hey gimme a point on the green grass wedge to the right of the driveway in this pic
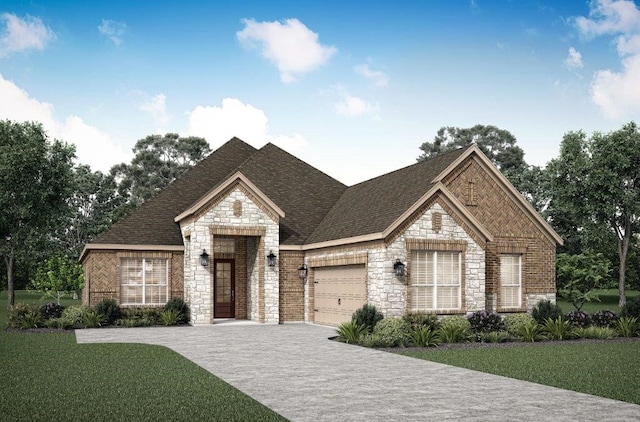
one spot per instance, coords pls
(606, 369)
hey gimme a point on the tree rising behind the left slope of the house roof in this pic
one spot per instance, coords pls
(158, 161)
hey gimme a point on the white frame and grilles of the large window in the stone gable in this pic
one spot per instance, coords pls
(416, 285)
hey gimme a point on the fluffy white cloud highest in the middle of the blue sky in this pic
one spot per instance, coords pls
(290, 45)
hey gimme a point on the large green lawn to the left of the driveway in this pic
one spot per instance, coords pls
(50, 377)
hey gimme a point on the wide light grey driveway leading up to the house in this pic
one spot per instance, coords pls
(296, 371)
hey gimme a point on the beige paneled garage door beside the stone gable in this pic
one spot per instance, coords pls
(338, 292)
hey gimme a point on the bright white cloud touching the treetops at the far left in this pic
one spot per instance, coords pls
(93, 147)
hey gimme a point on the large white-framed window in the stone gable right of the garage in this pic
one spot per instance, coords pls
(435, 280)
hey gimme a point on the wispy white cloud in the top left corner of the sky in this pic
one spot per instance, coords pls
(23, 34)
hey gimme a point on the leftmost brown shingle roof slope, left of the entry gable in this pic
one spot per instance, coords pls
(153, 222)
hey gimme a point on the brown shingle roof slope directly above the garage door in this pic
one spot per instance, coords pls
(372, 206)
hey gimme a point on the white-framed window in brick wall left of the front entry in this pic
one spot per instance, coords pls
(143, 281)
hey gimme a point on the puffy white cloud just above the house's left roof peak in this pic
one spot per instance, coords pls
(235, 118)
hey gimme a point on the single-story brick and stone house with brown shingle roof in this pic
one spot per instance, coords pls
(282, 241)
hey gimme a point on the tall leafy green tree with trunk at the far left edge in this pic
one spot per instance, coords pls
(35, 176)
